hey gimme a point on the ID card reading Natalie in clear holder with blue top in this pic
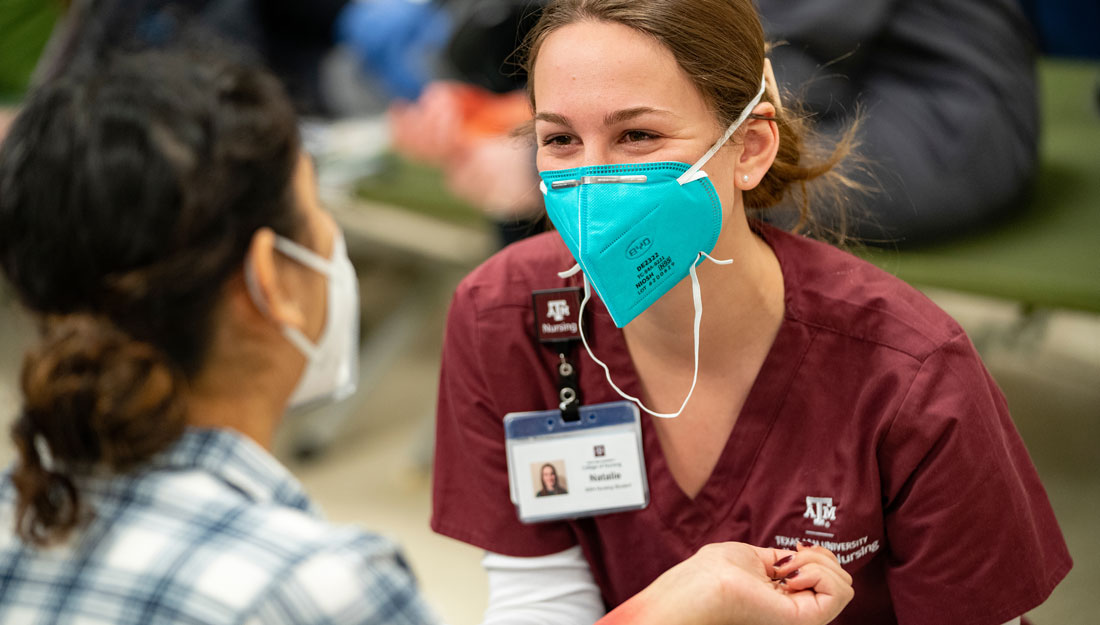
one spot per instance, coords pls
(559, 469)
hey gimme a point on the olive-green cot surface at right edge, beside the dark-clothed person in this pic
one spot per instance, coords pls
(1048, 255)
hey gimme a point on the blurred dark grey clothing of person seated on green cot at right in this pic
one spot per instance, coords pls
(949, 96)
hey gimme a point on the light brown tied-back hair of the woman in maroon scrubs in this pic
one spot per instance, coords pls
(721, 46)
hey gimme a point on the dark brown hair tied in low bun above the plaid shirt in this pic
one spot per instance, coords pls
(130, 191)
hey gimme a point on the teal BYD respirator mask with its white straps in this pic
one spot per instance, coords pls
(636, 231)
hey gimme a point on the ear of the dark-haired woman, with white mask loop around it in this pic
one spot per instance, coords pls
(268, 284)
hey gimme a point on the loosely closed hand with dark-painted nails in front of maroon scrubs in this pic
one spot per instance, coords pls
(733, 584)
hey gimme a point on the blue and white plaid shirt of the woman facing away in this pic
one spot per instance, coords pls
(213, 531)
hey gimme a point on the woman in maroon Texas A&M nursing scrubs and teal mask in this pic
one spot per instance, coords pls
(816, 400)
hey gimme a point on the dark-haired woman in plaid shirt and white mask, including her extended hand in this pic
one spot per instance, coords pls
(160, 222)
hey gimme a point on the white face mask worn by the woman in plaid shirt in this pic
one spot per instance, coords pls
(333, 365)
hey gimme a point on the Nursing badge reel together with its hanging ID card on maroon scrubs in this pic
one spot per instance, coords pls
(573, 460)
